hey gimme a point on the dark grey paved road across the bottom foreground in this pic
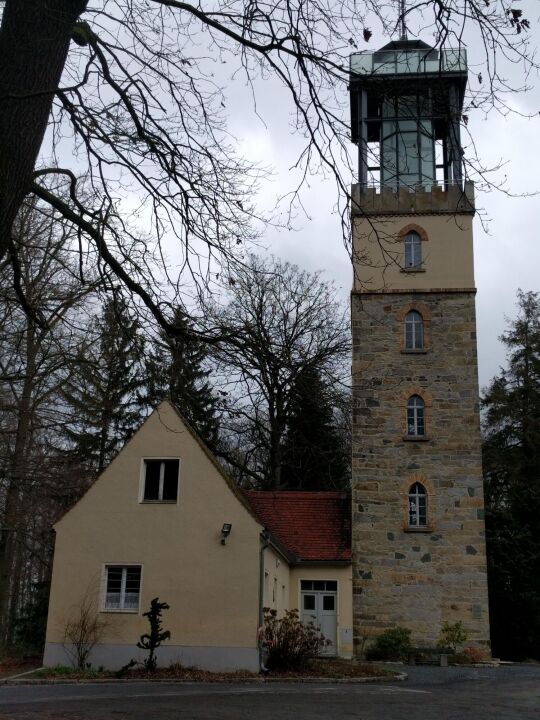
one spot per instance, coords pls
(508, 693)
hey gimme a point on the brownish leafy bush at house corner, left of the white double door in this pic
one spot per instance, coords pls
(289, 642)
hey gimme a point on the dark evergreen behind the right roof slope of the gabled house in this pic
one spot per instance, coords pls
(176, 372)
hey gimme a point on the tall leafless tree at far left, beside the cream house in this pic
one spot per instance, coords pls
(34, 365)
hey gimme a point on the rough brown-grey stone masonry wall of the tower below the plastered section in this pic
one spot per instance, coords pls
(417, 579)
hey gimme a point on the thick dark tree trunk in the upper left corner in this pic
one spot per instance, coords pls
(34, 42)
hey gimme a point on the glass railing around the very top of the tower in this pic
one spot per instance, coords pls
(406, 62)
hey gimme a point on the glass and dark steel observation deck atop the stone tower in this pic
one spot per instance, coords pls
(406, 106)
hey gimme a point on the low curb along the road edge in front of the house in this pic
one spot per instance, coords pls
(19, 680)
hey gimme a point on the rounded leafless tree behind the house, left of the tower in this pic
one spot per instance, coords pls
(280, 321)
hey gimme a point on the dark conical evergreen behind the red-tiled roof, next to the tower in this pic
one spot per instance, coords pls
(314, 453)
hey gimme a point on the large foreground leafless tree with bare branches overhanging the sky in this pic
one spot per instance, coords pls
(134, 90)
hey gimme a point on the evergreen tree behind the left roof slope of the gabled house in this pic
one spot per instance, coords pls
(106, 393)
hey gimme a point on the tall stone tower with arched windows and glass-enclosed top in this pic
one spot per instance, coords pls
(418, 509)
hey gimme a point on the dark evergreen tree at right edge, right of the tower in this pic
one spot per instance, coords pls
(512, 480)
